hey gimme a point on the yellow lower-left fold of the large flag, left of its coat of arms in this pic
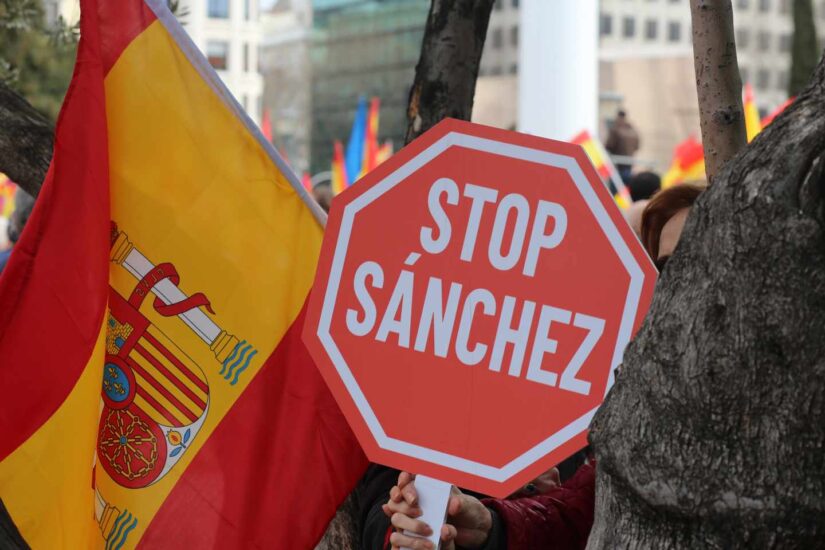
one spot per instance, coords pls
(46, 483)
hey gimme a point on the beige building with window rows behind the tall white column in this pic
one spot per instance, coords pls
(646, 65)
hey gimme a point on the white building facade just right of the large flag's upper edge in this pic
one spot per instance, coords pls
(228, 32)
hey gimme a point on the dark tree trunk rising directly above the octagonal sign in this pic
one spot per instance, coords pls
(445, 78)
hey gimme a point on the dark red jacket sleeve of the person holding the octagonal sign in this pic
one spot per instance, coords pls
(559, 519)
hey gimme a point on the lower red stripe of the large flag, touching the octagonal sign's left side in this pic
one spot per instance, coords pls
(248, 486)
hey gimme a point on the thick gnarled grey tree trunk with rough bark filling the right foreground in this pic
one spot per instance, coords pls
(713, 435)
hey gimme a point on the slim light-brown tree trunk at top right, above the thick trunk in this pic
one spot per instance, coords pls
(718, 83)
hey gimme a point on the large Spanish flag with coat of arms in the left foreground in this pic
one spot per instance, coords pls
(155, 390)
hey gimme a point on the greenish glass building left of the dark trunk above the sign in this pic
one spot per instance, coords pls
(362, 48)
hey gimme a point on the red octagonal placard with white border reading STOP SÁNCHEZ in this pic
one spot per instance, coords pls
(474, 295)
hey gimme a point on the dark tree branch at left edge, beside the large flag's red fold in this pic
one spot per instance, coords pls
(25, 141)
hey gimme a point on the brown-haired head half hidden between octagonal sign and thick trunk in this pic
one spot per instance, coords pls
(664, 218)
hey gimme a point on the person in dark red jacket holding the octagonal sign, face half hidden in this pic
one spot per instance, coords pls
(561, 515)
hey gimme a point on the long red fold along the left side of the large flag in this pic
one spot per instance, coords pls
(53, 291)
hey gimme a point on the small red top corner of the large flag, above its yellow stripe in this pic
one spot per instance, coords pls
(120, 23)
